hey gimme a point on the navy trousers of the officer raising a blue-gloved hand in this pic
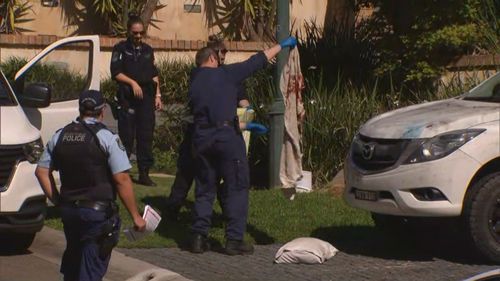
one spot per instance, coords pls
(225, 157)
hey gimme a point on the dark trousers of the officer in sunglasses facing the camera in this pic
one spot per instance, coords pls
(136, 121)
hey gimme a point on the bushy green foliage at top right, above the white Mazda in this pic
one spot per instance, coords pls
(414, 40)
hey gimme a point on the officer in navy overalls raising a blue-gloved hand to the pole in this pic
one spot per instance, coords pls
(219, 145)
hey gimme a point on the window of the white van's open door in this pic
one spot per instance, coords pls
(65, 69)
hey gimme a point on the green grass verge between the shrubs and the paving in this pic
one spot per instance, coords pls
(272, 218)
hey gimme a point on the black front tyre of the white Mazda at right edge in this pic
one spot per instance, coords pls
(481, 216)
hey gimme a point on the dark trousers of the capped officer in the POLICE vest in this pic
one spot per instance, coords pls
(82, 228)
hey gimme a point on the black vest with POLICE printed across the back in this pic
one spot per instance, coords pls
(83, 164)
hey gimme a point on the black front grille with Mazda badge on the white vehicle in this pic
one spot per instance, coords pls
(377, 154)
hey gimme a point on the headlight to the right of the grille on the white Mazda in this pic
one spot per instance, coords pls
(442, 145)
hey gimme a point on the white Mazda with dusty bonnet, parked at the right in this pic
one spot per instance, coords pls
(437, 159)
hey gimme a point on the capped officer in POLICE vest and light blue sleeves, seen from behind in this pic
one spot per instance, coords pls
(93, 167)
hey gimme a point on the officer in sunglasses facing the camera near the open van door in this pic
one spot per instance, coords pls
(132, 66)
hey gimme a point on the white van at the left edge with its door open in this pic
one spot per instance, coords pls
(42, 99)
